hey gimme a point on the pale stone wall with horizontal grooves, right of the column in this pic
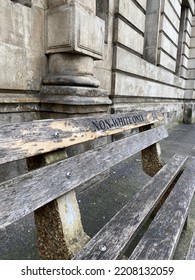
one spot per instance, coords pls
(146, 74)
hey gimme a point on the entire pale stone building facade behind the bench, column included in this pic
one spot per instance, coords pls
(77, 57)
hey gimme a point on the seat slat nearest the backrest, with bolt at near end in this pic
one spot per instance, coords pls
(115, 236)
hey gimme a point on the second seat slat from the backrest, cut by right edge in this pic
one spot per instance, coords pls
(161, 238)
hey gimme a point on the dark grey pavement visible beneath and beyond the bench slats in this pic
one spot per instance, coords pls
(100, 203)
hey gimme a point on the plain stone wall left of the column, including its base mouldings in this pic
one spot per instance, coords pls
(22, 61)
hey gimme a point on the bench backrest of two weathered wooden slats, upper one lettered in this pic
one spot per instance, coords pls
(21, 195)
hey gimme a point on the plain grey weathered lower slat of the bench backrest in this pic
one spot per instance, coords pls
(24, 194)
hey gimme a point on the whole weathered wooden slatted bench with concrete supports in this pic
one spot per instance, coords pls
(49, 187)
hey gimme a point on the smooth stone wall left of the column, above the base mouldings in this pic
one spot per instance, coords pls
(21, 45)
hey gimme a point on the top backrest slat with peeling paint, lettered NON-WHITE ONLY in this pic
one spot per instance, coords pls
(27, 139)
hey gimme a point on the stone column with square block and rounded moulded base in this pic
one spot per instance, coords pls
(74, 39)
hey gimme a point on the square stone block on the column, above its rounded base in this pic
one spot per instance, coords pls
(88, 29)
